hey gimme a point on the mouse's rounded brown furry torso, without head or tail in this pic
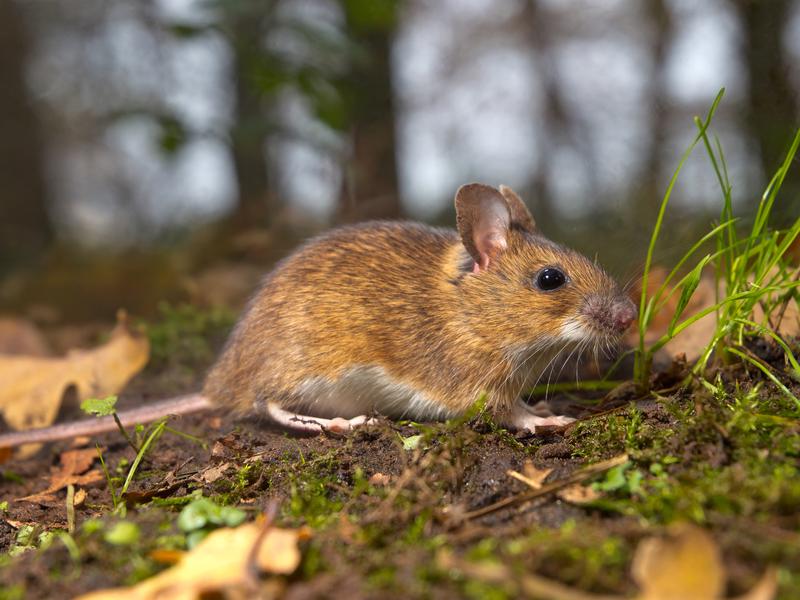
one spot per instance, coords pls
(328, 337)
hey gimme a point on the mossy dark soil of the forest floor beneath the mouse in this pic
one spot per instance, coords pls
(400, 509)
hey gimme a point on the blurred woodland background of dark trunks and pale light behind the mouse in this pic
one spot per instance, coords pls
(172, 150)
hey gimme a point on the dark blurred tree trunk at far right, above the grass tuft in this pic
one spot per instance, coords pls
(772, 102)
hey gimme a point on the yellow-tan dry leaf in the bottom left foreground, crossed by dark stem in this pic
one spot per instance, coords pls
(218, 562)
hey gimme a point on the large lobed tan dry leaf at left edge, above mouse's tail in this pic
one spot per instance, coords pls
(32, 388)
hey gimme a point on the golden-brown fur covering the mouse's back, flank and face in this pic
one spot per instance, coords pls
(402, 296)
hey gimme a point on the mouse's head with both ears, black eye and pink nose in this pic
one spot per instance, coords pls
(524, 292)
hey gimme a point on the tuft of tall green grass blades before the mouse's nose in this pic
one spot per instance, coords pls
(751, 270)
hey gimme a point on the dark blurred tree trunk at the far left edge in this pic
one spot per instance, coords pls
(25, 228)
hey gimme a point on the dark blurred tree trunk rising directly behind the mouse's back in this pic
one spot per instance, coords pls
(370, 189)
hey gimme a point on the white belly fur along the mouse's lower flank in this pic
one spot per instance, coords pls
(364, 390)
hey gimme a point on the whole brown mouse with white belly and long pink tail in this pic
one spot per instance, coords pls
(407, 321)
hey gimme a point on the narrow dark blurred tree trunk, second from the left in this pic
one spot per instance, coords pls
(257, 202)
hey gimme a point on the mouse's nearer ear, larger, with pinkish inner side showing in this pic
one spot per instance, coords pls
(483, 219)
